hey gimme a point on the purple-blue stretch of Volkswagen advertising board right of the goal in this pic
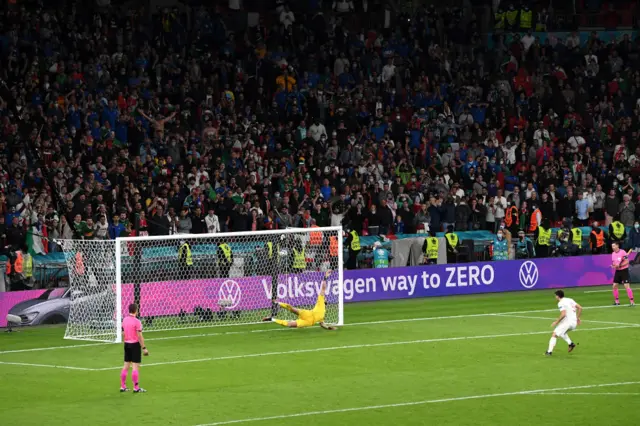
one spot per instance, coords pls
(476, 278)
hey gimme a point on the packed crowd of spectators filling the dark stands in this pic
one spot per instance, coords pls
(119, 124)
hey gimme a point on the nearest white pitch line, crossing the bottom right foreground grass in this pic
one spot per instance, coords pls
(409, 404)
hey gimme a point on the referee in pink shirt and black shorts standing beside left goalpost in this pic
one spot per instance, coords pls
(133, 349)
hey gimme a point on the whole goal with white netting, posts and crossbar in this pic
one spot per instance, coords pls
(192, 281)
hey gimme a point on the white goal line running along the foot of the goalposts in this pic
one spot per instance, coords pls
(270, 330)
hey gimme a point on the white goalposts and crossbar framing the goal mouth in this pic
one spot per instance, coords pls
(120, 241)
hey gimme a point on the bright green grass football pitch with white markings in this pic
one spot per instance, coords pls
(468, 360)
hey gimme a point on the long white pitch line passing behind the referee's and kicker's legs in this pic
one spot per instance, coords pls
(364, 345)
